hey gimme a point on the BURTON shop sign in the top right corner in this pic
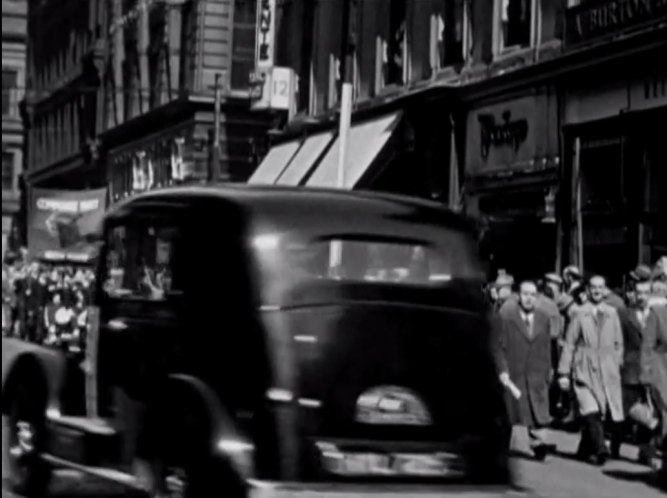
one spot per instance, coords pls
(594, 19)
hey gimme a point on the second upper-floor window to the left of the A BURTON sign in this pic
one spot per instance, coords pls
(449, 32)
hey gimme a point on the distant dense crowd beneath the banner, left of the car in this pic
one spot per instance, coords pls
(46, 303)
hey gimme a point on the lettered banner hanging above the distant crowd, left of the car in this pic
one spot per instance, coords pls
(62, 224)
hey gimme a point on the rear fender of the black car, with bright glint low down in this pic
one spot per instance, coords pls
(224, 437)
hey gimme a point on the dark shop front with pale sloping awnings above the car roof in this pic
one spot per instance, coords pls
(403, 147)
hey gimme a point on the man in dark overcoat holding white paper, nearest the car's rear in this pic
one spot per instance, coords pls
(524, 362)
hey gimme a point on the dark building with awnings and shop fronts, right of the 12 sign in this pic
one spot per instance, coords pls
(493, 104)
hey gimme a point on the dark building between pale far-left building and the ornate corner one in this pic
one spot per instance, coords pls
(63, 101)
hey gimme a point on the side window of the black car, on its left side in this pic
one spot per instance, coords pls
(140, 261)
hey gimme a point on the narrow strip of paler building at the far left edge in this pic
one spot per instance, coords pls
(13, 84)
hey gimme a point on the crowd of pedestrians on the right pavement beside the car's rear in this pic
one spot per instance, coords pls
(570, 350)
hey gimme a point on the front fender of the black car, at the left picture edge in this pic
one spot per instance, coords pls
(24, 362)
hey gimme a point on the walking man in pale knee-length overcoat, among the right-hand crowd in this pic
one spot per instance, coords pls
(591, 361)
